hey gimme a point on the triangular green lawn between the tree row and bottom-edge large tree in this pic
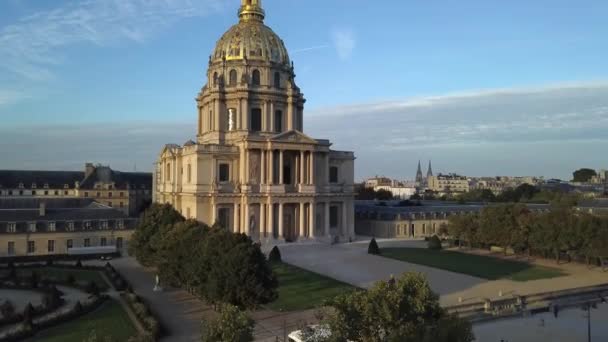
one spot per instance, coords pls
(300, 289)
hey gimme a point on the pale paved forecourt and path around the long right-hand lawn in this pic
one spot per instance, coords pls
(350, 263)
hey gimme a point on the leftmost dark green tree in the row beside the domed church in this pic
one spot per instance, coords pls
(156, 216)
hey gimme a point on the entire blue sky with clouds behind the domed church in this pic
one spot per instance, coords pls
(480, 87)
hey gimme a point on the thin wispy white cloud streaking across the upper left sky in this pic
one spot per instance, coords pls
(30, 46)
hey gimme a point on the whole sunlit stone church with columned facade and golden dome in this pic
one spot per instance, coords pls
(251, 168)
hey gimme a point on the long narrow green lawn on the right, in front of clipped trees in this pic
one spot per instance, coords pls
(476, 265)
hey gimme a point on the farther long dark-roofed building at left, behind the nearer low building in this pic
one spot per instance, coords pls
(128, 192)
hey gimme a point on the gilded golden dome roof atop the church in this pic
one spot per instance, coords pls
(250, 39)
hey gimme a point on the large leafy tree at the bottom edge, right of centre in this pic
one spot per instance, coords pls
(401, 310)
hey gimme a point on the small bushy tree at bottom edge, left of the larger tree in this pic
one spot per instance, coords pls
(232, 325)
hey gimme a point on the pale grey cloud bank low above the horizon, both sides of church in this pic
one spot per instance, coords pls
(548, 131)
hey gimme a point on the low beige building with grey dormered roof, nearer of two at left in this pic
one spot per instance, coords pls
(34, 226)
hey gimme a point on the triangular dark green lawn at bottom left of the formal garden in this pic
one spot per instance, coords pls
(110, 320)
